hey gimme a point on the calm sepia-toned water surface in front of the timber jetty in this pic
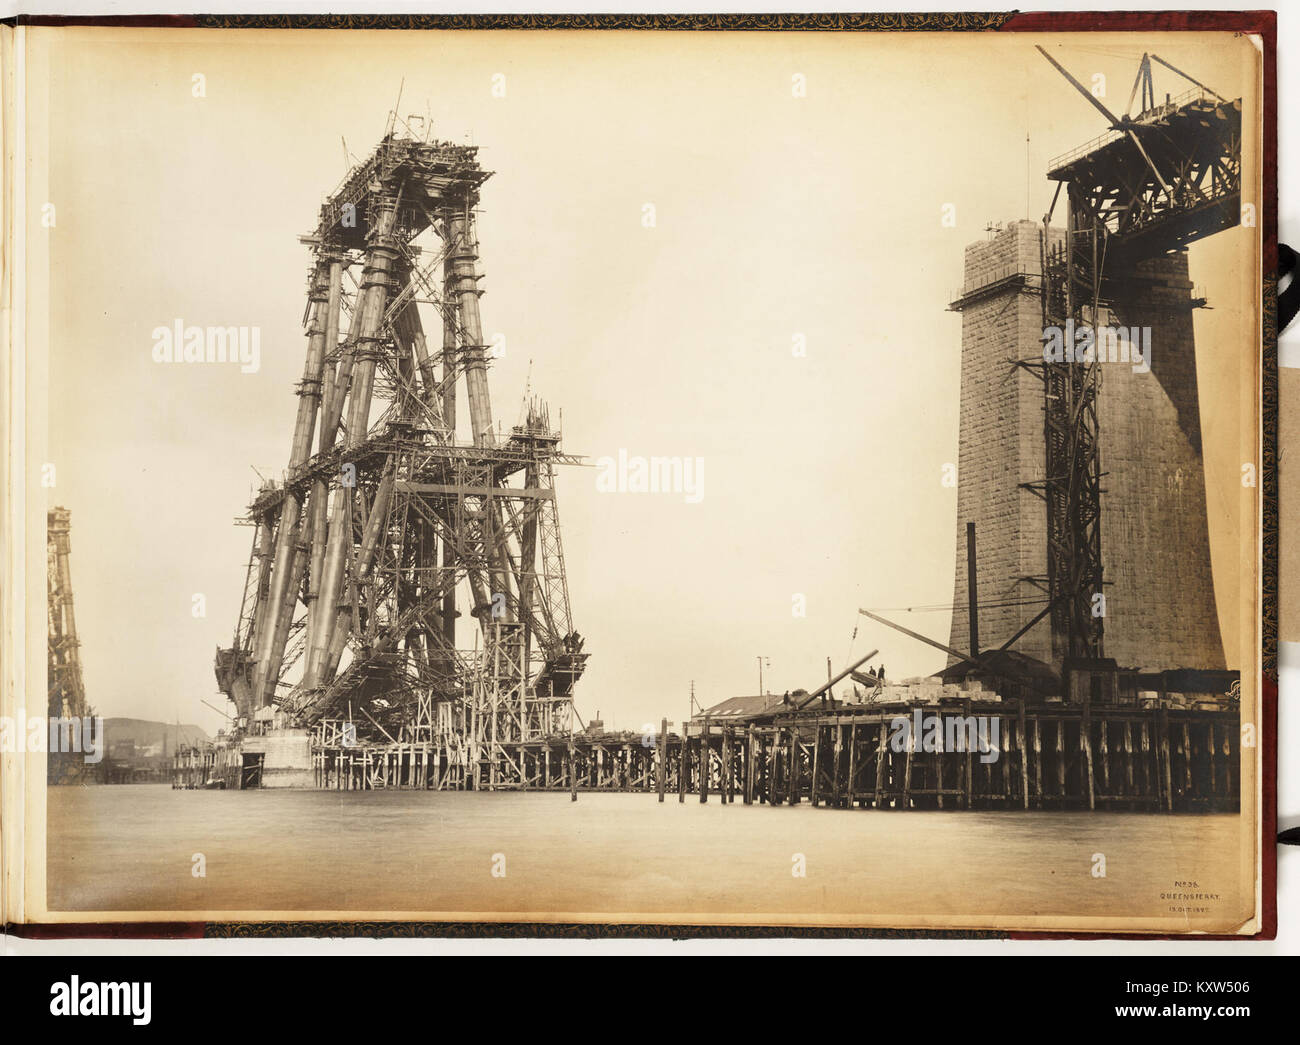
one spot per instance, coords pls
(131, 848)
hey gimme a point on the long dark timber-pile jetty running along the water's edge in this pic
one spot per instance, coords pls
(956, 755)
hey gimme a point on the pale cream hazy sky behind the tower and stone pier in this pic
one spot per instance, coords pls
(777, 216)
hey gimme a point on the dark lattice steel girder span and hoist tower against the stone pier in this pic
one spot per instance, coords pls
(1152, 185)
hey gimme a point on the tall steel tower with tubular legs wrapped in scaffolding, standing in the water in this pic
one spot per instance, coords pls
(388, 519)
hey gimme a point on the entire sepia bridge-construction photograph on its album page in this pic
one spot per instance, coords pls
(643, 478)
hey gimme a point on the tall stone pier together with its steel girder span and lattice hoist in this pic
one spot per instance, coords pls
(1116, 505)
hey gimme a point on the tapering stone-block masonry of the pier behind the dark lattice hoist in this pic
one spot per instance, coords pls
(1155, 535)
